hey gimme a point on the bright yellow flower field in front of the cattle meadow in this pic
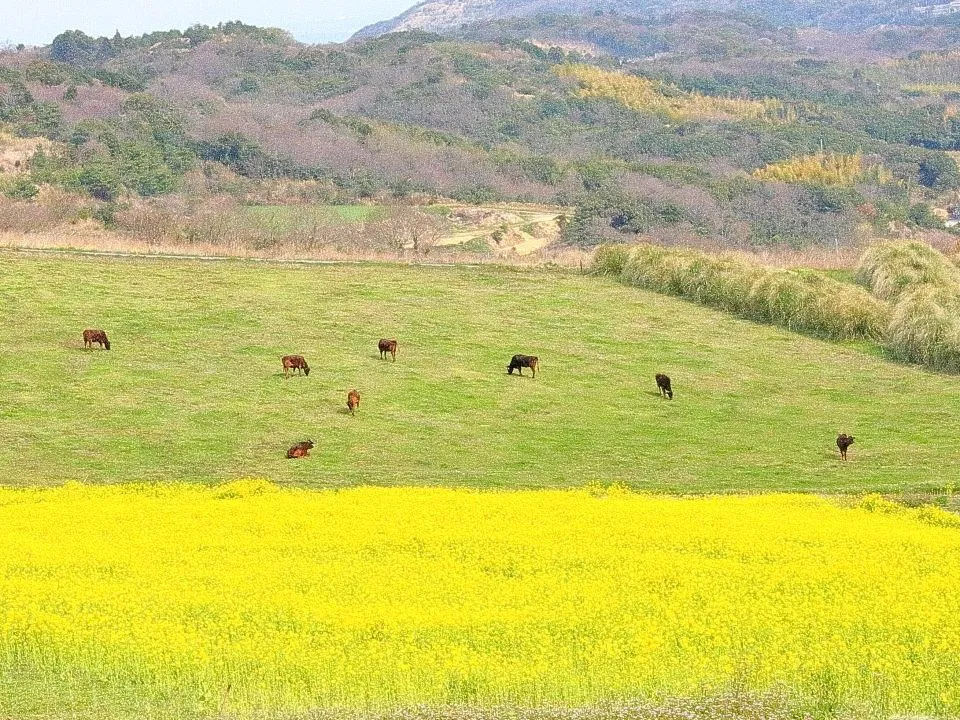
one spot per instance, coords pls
(185, 600)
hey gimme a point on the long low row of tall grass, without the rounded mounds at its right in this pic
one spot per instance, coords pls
(803, 300)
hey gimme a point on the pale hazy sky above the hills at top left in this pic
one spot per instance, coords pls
(37, 22)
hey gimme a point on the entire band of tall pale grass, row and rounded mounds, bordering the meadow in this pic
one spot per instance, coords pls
(914, 308)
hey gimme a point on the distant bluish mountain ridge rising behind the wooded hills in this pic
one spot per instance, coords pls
(445, 15)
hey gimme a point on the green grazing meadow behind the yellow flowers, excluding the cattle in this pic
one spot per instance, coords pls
(192, 389)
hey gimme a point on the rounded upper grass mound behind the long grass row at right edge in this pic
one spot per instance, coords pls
(891, 269)
